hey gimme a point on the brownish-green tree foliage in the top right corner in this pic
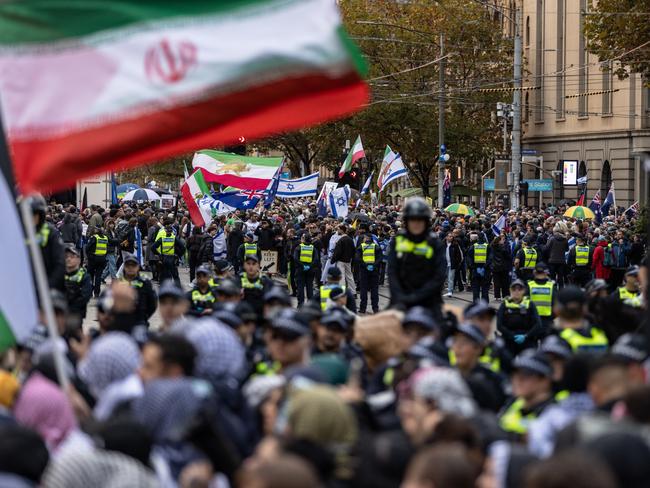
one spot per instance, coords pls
(612, 29)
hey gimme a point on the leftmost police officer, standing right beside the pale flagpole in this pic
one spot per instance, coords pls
(50, 243)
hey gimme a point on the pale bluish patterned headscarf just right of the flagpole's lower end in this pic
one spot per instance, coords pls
(112, 357)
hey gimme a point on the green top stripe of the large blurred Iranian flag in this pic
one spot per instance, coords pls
(34, 21)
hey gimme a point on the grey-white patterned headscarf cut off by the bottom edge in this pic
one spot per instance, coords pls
(97, 468)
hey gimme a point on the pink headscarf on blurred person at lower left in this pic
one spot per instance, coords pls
(43, 407)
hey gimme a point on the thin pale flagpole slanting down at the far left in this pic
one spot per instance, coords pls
(44, 292)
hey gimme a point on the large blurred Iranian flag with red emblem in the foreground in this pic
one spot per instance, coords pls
(90, 86)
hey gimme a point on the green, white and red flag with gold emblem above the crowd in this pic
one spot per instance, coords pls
(241, 172)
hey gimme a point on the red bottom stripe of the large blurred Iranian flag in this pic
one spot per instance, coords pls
(56, 163)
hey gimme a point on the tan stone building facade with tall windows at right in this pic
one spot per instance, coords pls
(579, 109)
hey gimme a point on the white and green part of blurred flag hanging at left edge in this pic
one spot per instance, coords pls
(18, 307)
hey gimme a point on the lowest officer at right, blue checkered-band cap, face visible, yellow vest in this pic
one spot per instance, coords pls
(532, 392)
